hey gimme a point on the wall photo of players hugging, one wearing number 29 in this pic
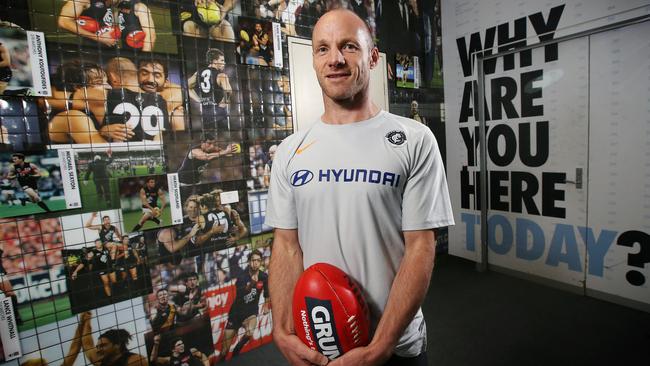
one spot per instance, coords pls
(124, 102)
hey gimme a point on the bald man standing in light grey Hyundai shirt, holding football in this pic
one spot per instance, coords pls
(374, 221)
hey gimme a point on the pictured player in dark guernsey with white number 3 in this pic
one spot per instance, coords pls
(211, 88)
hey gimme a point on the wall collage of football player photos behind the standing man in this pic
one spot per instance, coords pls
(137, 139)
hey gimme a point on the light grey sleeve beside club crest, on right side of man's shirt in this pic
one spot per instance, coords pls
(426, 202)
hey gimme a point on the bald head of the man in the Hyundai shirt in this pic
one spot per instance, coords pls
(343, 55)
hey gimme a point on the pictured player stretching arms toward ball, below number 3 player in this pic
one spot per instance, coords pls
(198, 157)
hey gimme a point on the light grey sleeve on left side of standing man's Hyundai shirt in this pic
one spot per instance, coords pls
(280, 205)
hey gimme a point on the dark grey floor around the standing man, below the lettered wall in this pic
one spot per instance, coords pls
(493, 319)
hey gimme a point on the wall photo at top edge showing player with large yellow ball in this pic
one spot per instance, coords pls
(208, 18)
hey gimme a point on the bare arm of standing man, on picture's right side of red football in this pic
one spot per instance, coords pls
(405, 297)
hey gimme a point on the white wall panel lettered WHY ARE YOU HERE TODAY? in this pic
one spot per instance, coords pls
(541, 138)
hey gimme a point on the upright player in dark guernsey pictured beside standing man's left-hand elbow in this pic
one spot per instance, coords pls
(251, 284)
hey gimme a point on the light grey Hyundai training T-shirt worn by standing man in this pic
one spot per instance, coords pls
(351, 190)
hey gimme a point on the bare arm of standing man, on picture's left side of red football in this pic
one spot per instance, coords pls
(285, 269)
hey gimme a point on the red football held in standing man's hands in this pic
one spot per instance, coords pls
(329, 312)
